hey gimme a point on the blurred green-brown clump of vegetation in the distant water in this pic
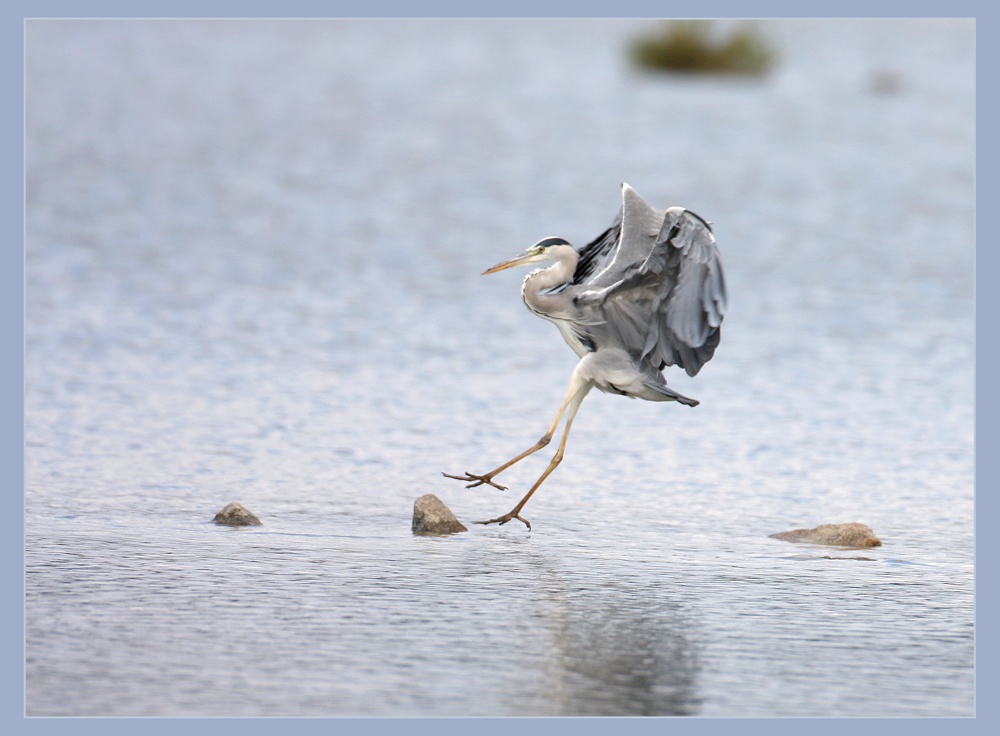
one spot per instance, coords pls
(692, 46)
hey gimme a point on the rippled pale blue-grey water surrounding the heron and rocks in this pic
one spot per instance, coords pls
(252, 275)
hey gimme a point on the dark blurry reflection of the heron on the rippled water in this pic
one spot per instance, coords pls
(617, 650)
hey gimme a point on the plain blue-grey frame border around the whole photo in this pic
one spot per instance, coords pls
(14, 16)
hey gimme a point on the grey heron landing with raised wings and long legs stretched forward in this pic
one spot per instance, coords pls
(647, 293)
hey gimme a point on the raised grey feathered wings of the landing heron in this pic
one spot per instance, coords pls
(652, 284)
